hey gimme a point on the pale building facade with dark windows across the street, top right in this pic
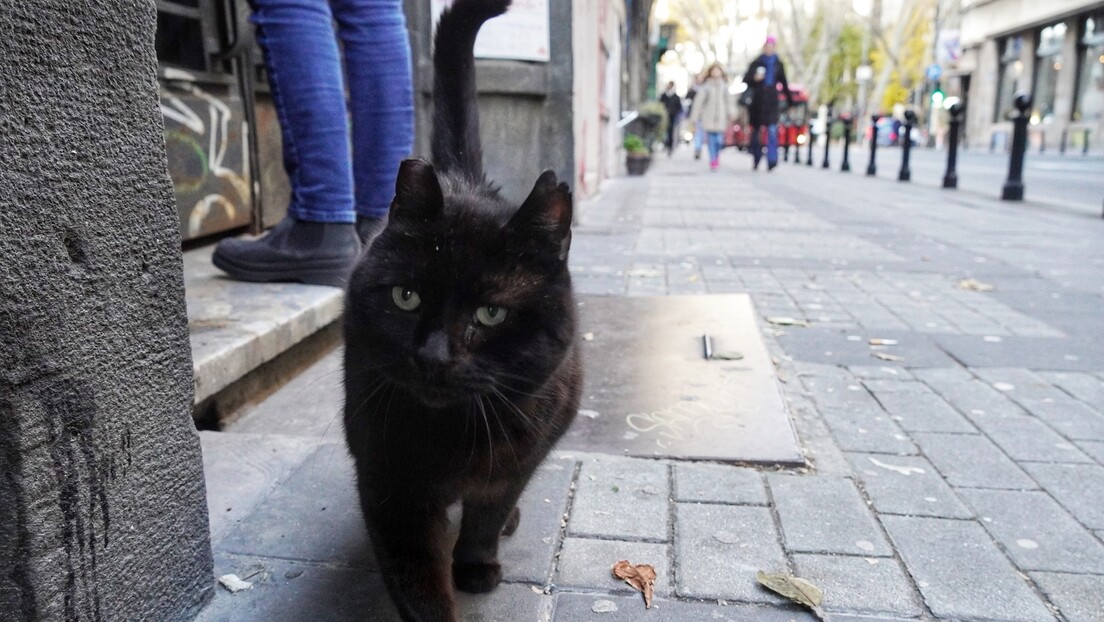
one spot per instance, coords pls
(1054, 51)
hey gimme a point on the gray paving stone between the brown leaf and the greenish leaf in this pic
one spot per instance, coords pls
(719, 549)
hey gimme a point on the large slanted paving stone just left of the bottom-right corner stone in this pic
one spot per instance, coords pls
(961, 573)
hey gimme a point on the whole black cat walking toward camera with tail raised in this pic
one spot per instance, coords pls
(462, 368)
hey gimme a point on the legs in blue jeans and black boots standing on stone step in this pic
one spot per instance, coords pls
(339, 199)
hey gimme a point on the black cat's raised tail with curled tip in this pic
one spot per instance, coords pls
(457, 145)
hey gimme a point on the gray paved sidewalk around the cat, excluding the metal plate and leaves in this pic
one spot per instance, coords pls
(948, 391)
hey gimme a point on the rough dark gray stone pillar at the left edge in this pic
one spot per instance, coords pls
(103, 513)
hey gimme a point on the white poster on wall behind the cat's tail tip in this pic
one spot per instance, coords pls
(522, 35)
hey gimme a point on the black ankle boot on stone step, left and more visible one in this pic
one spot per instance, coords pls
(317, 254)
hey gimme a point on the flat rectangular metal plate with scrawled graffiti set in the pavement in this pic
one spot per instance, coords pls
(651, 392)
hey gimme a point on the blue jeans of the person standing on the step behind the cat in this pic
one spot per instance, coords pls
(309, 88)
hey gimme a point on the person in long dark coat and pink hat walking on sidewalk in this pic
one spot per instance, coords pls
(763, 78)
